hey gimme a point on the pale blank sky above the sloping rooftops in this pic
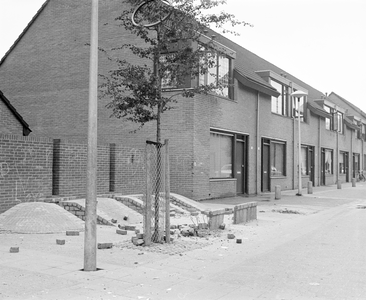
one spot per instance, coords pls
(321, 42)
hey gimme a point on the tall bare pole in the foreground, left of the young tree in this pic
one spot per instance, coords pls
(90, 242)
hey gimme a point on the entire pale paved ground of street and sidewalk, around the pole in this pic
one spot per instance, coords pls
(283, 256)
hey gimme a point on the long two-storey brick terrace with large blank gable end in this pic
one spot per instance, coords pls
(241, 142)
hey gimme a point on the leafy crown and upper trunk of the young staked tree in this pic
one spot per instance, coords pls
(172, 52)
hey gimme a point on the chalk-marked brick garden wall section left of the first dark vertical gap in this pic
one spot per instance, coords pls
(25, 170)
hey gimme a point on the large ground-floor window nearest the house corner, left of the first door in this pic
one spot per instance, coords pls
(221, 155)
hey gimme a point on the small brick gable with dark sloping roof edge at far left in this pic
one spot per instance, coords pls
(11, 122)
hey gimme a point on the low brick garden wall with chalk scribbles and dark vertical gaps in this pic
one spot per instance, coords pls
(38, 169)
